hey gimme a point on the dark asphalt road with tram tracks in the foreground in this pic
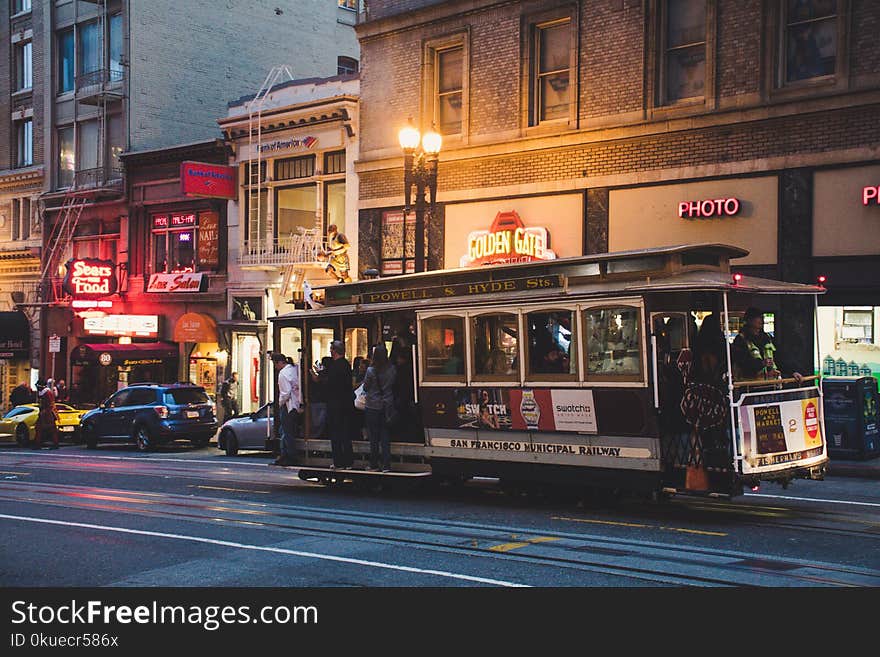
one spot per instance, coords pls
(186, 517)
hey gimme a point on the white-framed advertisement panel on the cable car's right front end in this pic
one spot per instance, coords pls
(781, 432)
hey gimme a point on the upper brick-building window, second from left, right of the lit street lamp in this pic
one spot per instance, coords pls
(551, 71)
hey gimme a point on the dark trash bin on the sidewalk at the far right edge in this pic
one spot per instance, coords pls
(852, 419)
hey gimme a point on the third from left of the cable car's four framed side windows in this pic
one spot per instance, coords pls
(551, 346)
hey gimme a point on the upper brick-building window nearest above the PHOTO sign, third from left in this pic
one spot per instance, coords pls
(683, 44)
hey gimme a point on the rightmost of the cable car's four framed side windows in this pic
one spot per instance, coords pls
(614, 345)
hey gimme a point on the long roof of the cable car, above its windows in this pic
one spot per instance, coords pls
(699, 280)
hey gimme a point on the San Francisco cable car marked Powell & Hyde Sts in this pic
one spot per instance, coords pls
(569, 371)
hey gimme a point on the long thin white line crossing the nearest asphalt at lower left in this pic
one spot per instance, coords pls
(266, 548)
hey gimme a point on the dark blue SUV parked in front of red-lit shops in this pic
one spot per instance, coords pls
(151, 414)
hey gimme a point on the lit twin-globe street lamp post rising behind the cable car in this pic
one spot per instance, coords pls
(420, 156)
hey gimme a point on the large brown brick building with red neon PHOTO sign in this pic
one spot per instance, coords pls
(609, 122)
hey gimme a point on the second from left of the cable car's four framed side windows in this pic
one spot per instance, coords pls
(495, 342)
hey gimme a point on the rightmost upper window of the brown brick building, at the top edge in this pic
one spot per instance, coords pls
(810, 39)
